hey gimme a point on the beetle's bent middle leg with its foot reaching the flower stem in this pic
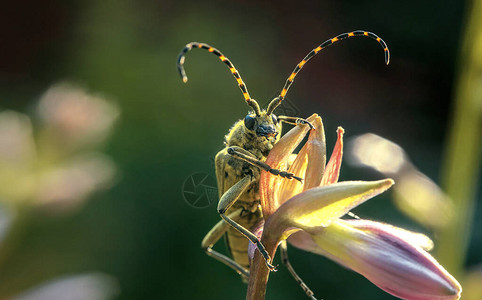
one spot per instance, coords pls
(227, 200)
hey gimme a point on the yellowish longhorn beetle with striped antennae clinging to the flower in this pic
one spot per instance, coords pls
(238, 165)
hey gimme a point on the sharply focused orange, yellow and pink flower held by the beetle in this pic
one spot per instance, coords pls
(308, 215)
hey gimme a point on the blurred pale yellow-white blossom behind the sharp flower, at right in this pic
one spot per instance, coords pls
(415, 194)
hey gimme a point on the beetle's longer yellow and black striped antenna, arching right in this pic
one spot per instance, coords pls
(277, 101)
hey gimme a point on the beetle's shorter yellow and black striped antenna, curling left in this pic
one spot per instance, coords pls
(180, 66)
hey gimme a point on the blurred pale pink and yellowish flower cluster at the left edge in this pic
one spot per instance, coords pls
(50, 167)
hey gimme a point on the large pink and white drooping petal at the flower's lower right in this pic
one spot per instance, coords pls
(396, 264)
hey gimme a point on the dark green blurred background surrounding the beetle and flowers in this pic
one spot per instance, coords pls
(142, 231)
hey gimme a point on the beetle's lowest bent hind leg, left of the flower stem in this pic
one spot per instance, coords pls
(213, 237)
